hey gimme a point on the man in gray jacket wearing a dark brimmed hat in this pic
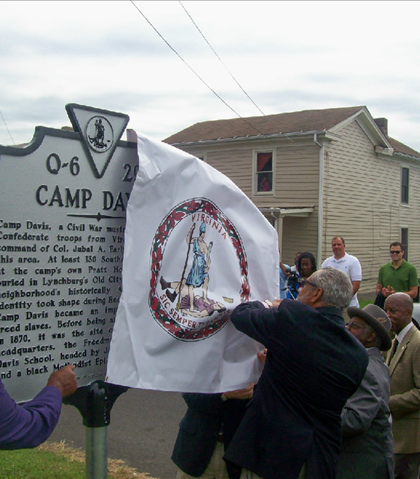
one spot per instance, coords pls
(367, 449)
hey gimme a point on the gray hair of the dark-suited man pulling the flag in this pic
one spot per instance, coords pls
(336, 285)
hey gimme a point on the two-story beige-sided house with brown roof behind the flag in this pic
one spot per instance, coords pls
(319, 173)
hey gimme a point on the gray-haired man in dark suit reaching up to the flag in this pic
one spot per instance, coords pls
(292, 427)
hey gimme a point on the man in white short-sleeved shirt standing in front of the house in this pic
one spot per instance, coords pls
(347, 263)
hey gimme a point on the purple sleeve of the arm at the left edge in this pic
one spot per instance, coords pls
(30, 424)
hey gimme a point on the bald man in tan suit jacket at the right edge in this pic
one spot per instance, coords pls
(404, 366)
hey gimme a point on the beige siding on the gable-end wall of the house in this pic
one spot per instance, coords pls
(362, 203)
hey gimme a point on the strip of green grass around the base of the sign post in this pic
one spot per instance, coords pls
(57, 461)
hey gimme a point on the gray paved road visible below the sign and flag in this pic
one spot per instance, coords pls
(143, 429)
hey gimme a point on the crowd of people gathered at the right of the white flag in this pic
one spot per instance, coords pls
(339, 395)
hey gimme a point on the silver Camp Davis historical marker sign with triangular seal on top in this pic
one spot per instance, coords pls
(63, 202)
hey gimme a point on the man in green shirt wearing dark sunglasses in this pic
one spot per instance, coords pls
(398, 276)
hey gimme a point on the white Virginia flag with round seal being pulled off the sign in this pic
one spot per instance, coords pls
(195, 247)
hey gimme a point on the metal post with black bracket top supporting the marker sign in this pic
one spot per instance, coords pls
(94, 403)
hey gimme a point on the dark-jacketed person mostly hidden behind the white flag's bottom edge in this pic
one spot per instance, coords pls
(205, 431)
